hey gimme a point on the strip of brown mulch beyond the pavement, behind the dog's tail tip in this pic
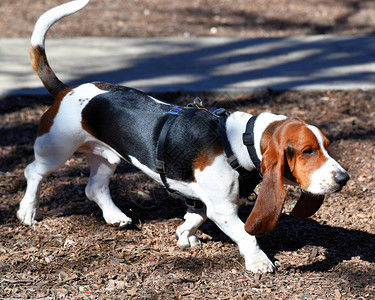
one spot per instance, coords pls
(256, 18)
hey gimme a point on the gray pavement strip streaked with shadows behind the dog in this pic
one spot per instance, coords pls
(213, 64)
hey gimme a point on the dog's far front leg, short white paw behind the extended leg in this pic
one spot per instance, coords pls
(186, 232)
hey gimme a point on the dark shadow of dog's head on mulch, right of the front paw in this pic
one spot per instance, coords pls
(339, 244)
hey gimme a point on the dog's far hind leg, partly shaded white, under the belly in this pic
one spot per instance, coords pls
(101, 169)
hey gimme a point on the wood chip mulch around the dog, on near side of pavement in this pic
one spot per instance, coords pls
(72, 253)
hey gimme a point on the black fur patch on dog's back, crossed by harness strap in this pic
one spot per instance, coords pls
(130, 122)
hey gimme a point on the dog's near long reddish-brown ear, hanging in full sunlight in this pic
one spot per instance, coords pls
(270, 202)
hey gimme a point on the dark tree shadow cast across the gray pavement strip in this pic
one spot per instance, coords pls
(201, 65)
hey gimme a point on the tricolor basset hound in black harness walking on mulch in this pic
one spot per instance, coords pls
(201, 153)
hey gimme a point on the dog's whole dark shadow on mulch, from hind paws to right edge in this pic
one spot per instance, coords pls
(153, 203)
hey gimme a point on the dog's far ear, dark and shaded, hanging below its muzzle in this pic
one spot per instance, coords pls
(307, 205)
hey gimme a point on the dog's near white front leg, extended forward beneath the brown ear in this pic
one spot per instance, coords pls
(219, 191)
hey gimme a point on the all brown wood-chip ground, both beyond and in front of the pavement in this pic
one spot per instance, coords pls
(72, 253)
